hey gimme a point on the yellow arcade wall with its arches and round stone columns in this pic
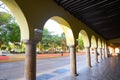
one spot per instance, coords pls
(32, 21)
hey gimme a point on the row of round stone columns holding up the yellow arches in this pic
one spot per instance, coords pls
(30, 59)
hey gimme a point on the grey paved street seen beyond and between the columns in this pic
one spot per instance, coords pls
(15, 70)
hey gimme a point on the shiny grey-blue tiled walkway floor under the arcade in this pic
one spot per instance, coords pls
(108, 69)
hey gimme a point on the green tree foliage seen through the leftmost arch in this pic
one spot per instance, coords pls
(9, 30)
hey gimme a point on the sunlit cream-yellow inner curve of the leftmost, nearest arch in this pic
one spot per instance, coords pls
(22, 22)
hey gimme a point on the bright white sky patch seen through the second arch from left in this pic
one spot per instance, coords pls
(53, 26)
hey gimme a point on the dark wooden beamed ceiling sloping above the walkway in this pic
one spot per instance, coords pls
(103, 16)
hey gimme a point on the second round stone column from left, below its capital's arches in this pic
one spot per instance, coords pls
(73, 60)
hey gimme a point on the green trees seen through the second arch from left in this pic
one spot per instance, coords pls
(51, 42)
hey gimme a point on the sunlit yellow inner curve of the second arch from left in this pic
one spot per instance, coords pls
(66, 29)
